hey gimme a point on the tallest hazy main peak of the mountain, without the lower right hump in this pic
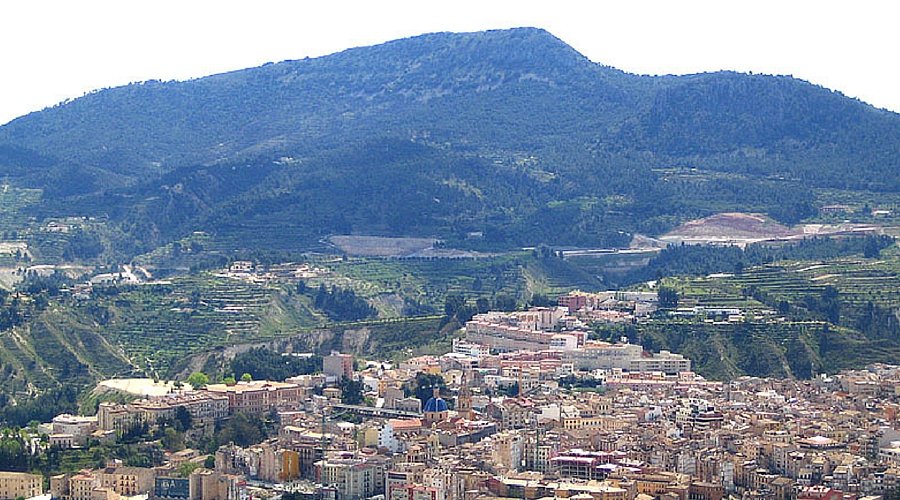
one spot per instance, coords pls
(402, 85)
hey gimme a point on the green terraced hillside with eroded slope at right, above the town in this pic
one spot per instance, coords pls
(784, 333)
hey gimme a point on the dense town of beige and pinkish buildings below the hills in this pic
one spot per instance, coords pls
(525, 405)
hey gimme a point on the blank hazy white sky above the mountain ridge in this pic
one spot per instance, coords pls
(54, 50)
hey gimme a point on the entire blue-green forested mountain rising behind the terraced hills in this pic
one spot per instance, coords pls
(510, 134)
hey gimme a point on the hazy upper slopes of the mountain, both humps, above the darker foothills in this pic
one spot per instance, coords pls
(520, 89)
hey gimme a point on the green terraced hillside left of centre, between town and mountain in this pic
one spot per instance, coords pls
(52, 339)
